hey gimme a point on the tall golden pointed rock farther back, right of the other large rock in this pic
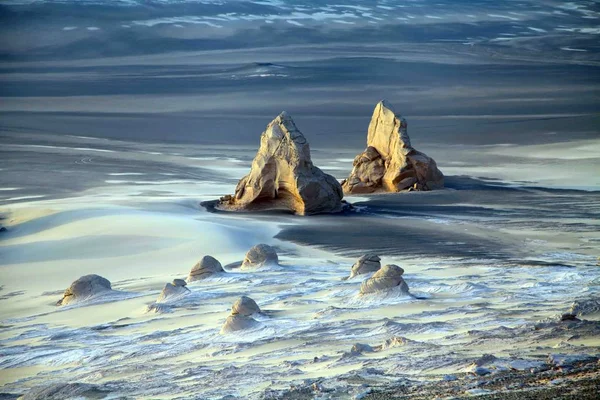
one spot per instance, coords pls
(390, 163)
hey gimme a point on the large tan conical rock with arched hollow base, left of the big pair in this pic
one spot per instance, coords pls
(283, 176)
